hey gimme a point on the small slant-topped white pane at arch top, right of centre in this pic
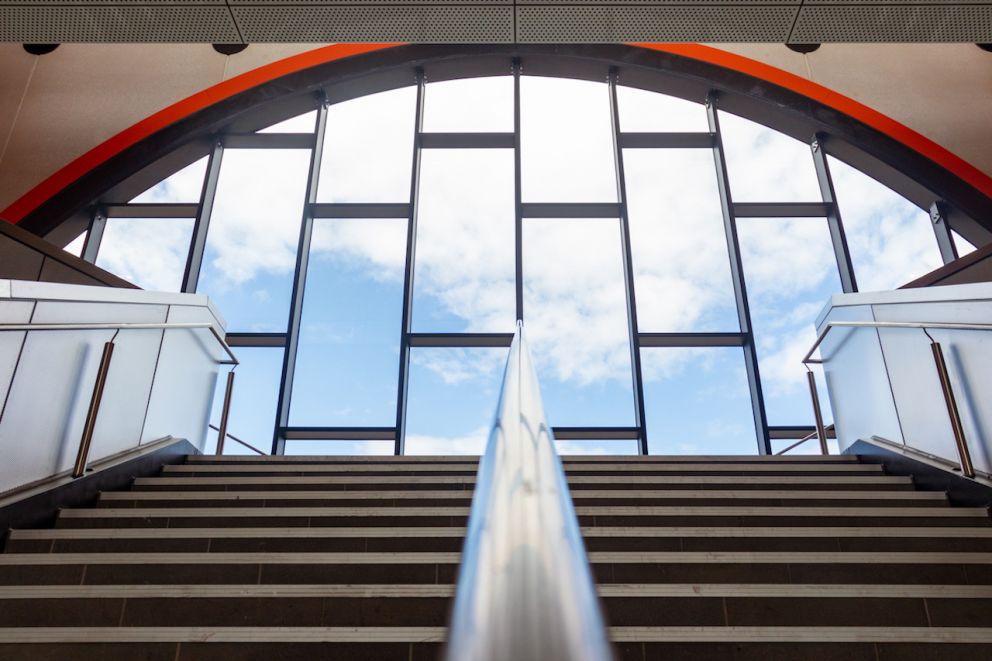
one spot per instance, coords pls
(649, 112)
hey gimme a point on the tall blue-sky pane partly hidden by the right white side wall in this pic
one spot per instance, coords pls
(791, 274)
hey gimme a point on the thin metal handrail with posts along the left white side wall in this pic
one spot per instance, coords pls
(103, 370)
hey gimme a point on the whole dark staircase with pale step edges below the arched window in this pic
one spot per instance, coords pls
(345, 558)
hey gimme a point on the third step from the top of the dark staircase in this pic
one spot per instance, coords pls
(576, 482)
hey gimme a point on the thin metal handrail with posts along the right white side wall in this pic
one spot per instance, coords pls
(964, 453)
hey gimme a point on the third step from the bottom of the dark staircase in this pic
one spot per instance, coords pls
(396, 568)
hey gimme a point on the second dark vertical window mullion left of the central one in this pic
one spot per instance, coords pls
(299, 285)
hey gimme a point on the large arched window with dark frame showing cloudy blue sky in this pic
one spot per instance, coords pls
(668, 242)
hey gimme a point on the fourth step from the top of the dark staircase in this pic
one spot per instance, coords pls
(591, 496)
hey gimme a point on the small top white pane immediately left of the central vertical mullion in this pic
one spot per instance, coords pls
(469, 105)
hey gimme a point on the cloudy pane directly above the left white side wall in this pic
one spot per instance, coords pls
(150, 252)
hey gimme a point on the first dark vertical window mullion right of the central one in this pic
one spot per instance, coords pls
(628, 270)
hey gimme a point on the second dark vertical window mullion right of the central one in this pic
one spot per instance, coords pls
(737, 272)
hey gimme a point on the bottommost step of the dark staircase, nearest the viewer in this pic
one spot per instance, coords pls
(406, 643)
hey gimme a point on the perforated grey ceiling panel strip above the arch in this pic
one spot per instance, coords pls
(495, 21)
